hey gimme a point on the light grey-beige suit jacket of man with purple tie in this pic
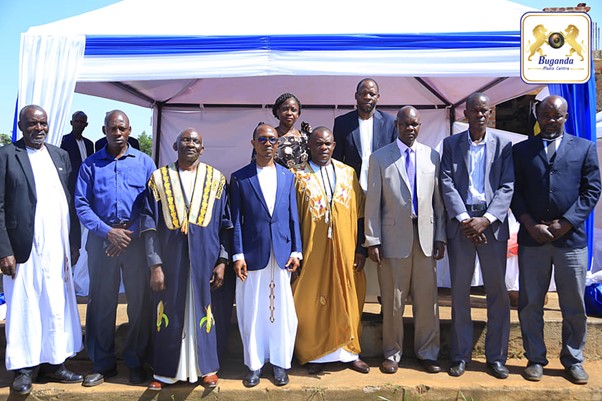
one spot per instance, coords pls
(388, 211)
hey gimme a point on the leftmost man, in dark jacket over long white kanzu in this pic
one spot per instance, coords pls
(42, 321)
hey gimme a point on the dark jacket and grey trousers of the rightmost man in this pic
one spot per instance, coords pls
(567, 186)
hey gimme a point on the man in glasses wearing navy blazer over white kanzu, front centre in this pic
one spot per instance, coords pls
(266, 250)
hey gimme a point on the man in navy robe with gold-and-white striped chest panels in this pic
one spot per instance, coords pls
(186, 225)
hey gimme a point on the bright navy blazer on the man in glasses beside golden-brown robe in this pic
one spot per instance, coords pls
(255, 232)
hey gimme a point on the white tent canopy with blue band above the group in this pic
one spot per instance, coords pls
(219, 65)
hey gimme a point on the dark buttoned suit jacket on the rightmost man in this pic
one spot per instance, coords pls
(567, 187)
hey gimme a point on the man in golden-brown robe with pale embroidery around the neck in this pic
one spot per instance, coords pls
(330, 290)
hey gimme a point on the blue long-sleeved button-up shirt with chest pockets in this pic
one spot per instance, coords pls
(110, 191)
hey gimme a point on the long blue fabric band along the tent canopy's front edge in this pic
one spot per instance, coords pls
(97, 45)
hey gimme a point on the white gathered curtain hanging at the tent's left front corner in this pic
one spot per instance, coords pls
(48, 73)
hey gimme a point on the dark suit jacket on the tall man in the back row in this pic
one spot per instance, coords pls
(346, 132)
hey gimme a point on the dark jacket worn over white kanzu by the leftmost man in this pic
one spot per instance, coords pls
(18, 199)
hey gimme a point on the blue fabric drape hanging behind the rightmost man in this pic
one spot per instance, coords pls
(581, 100)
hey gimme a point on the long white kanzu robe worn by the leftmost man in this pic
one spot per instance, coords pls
(42, 323)
